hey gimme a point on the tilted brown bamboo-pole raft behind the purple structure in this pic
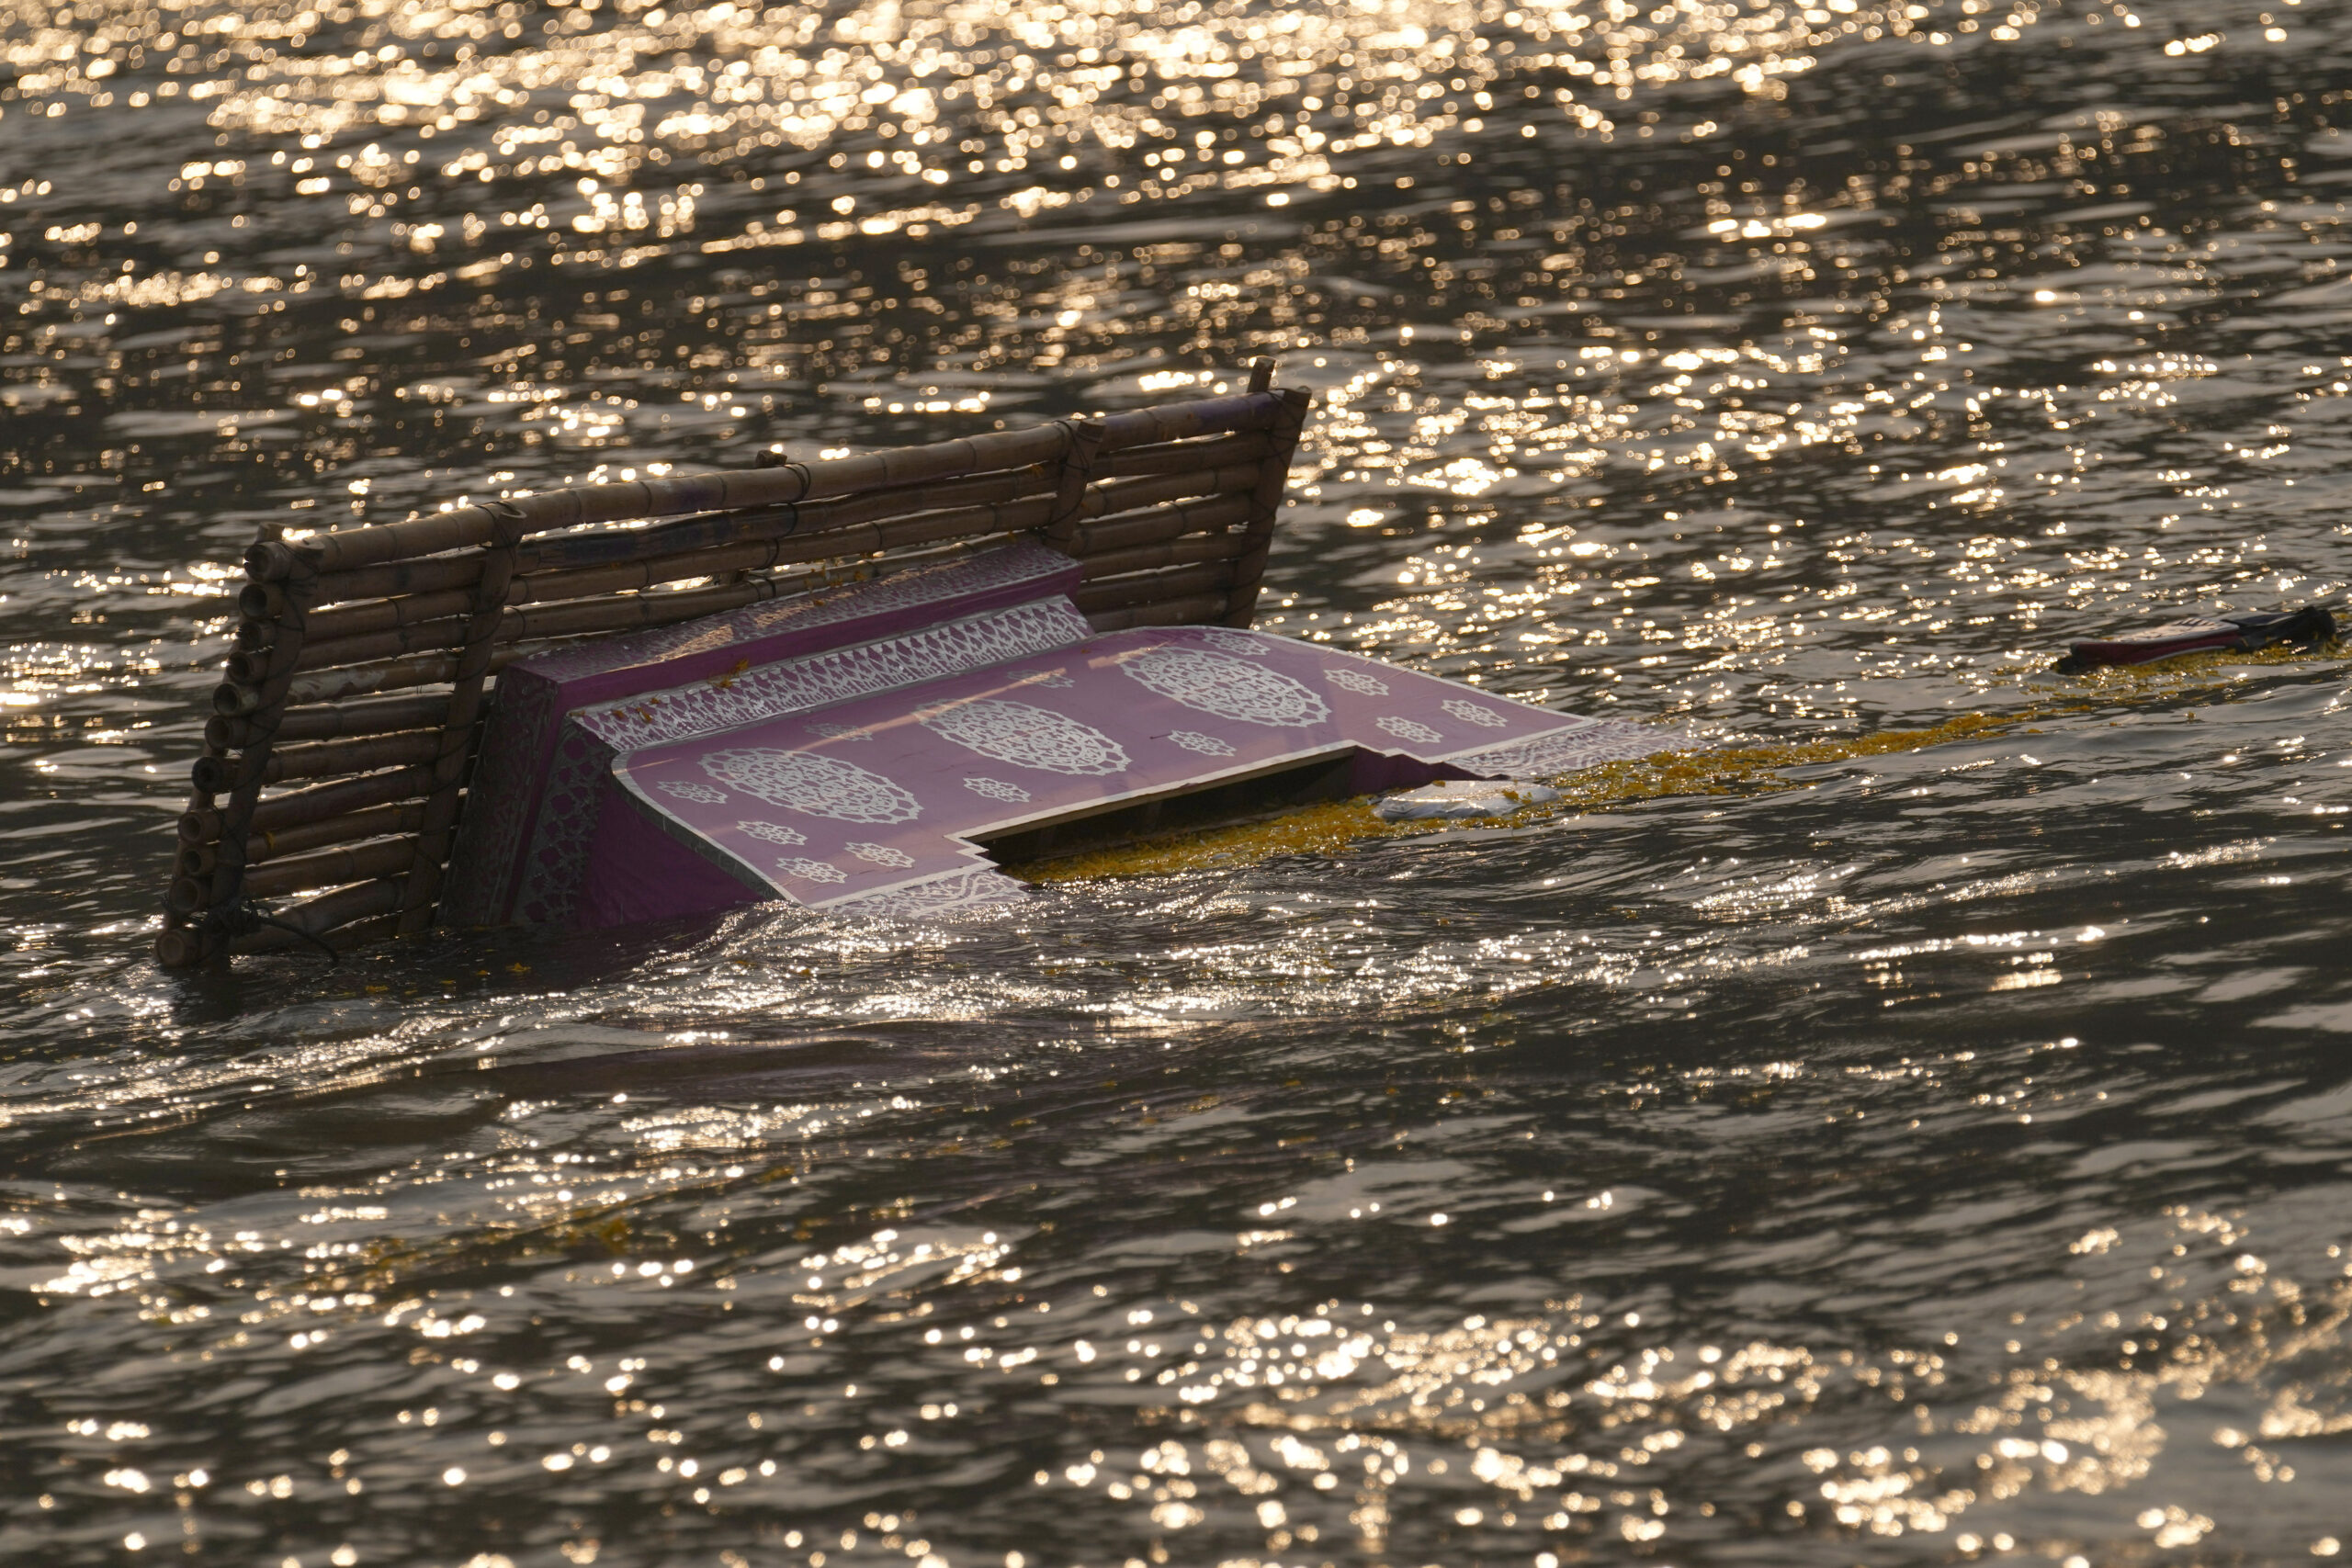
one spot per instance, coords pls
(366, 659)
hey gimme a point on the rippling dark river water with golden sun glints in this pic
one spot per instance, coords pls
(1880, 1151)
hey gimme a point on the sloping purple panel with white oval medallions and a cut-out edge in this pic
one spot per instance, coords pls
(888, 796)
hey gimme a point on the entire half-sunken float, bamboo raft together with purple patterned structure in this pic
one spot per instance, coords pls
(855, 685)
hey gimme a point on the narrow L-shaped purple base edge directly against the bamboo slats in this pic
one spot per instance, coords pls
(519, 751)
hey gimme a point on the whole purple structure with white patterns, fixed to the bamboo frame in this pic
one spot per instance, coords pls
(857, 749)
